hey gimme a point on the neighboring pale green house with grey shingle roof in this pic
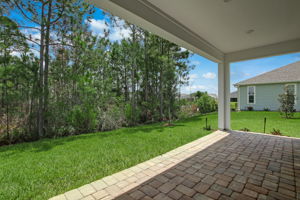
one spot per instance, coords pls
(262, 92)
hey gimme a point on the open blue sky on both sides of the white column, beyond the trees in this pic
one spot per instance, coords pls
(201, 77)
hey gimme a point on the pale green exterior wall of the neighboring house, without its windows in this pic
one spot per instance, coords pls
(266, 97)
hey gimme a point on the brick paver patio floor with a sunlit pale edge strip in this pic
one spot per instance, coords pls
(221, 165)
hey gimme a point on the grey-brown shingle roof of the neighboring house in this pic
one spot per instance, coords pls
(285, 74)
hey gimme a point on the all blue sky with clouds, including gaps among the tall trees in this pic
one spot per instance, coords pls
(204, 76)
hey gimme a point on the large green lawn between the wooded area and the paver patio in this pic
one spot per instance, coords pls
(42, 169)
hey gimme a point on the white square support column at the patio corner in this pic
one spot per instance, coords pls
(224, 96)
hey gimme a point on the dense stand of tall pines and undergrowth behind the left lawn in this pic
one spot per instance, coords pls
(71, 81)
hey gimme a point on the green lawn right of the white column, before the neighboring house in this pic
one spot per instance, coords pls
(254, 121)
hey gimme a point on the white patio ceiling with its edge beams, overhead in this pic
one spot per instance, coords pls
(217, 29)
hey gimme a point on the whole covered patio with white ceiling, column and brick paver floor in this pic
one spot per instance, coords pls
(225, 164)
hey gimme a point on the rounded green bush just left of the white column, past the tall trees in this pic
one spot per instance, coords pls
(207, 104)
